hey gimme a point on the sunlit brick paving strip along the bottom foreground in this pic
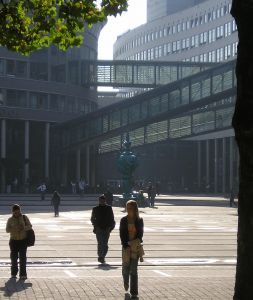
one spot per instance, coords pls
(108, 288)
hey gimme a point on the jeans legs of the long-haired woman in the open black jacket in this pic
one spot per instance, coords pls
(129, 270)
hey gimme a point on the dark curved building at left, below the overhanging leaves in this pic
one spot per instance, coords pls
(37, 92)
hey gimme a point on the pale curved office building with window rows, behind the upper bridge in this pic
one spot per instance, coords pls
(205, 32)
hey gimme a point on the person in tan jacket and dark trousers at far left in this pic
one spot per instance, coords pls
(17, 225)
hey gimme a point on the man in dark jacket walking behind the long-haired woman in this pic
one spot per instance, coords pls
(102, 218)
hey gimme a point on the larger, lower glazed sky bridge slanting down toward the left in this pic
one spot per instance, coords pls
(193, 105)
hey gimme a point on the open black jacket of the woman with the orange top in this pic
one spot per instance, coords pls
(123, 229)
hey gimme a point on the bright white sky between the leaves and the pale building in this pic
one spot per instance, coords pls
(135, 16)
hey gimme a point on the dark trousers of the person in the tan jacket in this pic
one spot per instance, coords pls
(18, 250)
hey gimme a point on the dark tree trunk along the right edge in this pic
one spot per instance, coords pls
(242, 10)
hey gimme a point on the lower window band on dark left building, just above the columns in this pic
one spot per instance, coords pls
(54, 102)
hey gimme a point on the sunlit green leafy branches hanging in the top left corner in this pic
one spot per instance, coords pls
(29, 25)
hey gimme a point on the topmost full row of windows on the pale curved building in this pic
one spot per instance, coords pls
(174, 29)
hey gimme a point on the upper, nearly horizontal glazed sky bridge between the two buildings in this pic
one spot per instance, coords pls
(137, 74)
